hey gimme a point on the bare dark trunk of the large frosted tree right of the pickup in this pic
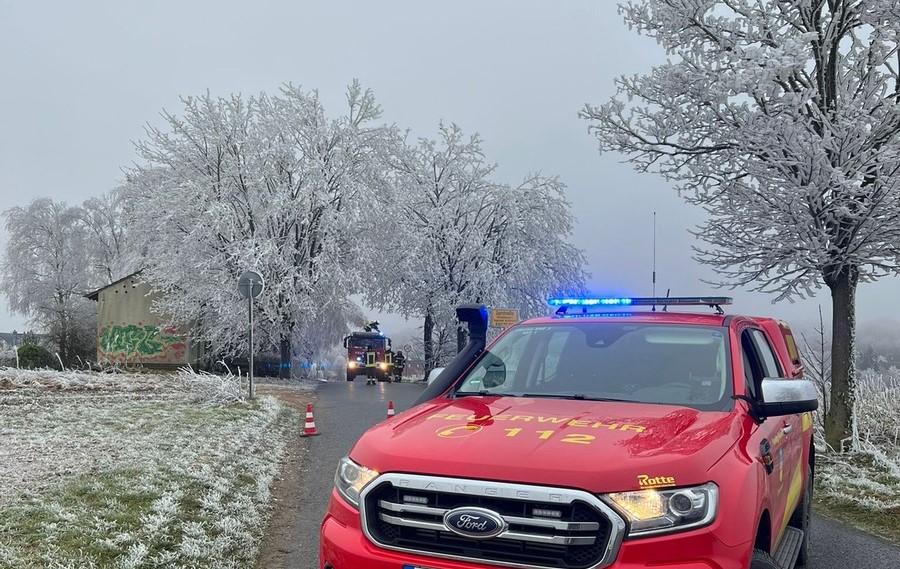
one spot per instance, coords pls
(839, 421)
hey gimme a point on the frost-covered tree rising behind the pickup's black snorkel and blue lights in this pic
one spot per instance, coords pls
(463, 237)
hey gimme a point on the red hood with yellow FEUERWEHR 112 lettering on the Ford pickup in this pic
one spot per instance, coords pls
(592, 445)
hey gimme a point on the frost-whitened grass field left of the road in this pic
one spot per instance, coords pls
(134, 470)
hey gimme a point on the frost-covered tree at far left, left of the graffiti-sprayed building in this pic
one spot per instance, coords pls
(46, 271)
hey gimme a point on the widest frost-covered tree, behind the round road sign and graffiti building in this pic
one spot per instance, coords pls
(269, 183)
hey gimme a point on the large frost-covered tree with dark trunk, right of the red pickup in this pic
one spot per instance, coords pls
(781, 119)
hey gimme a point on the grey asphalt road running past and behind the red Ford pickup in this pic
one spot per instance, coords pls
(345, 410)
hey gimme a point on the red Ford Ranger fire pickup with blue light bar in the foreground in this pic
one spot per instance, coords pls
(603, 437)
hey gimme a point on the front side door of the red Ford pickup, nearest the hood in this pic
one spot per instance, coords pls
(769, 439)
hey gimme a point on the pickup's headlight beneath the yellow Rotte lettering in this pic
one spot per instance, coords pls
(652, 512)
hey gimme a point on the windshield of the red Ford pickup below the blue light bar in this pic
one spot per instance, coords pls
(646, 363)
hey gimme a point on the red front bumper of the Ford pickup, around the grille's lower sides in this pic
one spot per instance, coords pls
(344, 546)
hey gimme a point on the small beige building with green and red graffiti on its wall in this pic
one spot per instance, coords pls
(128, 333)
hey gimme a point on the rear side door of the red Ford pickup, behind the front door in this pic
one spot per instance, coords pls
(788, 442)
